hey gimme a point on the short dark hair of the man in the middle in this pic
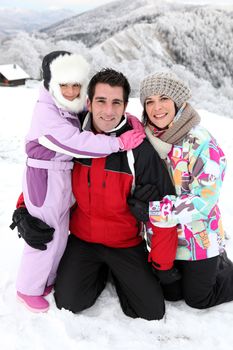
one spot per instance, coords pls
(111, 77)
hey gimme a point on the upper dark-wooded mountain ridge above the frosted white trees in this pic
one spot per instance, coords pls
(187, 34)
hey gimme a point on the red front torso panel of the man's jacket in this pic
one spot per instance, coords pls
(102, 215)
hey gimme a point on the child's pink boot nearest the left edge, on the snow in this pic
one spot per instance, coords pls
(33, 303)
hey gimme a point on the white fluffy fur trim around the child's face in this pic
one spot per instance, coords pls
(69, 69)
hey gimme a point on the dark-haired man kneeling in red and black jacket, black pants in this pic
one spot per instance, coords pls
(105, 237)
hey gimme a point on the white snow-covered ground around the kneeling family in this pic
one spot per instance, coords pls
(103, 326)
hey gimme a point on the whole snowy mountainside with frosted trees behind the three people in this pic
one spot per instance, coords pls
(139, 37)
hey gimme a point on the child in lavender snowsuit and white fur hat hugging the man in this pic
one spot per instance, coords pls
(53, 140)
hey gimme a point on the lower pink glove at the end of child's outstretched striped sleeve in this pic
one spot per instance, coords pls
(131, 139)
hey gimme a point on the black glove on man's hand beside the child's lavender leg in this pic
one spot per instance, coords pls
(34, 231)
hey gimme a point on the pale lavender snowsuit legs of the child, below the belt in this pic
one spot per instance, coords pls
(36, 265)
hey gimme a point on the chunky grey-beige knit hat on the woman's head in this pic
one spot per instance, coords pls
(164, 83)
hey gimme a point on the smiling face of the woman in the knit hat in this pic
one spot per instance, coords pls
(160, 110)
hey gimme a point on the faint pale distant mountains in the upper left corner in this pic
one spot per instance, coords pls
(16, 19)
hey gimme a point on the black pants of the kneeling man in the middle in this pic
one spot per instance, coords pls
(83, 272)
